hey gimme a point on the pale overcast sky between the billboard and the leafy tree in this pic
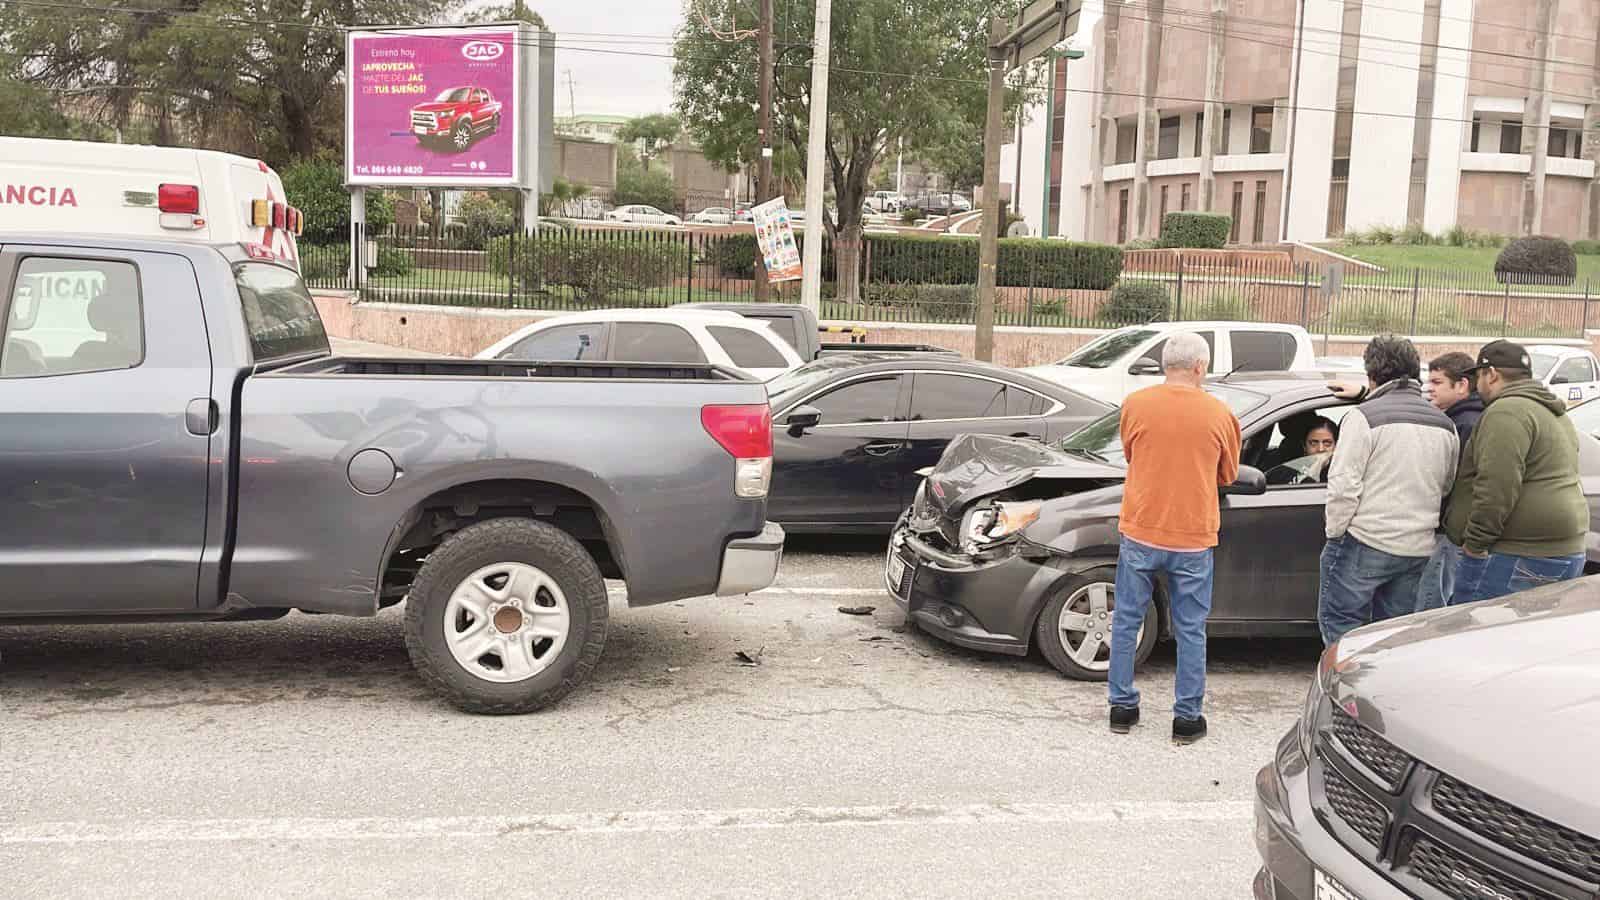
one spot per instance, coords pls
(618, 54)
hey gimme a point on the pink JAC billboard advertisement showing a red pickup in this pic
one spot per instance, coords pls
(434, 106)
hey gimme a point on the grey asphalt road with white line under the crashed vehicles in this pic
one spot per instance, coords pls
(303, 758)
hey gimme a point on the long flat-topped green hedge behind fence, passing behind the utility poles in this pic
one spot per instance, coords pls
(954, 262)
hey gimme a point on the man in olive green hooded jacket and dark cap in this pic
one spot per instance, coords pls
(1518, 510)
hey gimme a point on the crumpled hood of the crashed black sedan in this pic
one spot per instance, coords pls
(982, 465)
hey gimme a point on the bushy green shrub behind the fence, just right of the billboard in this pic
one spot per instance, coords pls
(593, 267)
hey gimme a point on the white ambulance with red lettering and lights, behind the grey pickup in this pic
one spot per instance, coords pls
(129, 190)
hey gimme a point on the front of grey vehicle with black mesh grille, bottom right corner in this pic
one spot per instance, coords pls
(1446, 755)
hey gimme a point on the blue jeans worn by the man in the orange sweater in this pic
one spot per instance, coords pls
(1190, 605)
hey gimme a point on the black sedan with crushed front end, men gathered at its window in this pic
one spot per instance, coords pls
(1014, 544)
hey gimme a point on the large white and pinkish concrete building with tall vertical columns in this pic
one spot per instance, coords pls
(1305, 119)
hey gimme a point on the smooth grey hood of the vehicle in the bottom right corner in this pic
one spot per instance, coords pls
(1503, 696)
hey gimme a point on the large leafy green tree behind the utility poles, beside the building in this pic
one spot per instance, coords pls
(902, 71)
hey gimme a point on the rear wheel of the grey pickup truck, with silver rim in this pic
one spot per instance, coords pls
(506, 617)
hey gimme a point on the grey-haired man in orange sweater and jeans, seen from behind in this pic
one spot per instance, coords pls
(1183, 448)
